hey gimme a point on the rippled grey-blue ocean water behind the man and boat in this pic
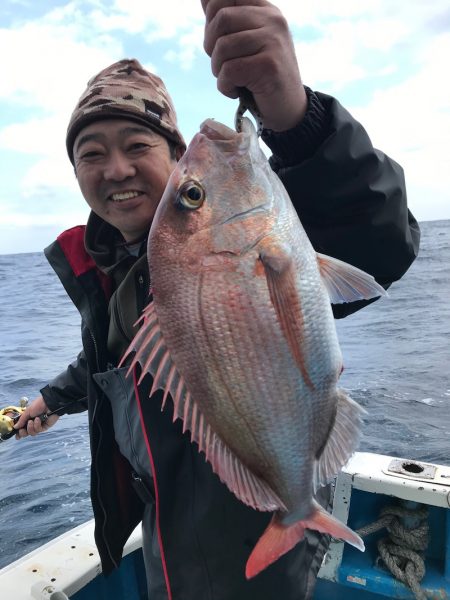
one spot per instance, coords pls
(397, 365)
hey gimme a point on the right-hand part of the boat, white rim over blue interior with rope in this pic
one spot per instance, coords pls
(401, 508)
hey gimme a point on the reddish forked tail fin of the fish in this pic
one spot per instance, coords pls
(278, 539)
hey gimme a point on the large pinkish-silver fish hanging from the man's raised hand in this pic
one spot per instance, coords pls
(240, 334)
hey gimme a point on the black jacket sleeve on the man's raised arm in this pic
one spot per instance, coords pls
(350, 197)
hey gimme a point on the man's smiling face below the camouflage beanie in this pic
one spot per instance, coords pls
(122, 170)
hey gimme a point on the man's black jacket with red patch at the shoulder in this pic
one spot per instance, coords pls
(351, 200)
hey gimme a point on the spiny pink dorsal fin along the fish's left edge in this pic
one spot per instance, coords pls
(152, 354)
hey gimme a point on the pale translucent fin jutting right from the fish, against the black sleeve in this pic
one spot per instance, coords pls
(346, 283)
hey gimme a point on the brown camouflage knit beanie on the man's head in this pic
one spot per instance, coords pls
(125, 90)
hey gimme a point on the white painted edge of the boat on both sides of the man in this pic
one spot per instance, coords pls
(66, 564)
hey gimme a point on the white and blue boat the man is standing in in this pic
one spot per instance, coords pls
(400, 507)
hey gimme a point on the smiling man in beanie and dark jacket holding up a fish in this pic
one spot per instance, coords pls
(124, 141)
